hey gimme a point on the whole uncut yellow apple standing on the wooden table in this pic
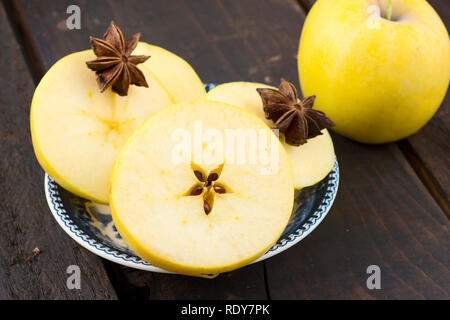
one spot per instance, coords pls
(378, 80)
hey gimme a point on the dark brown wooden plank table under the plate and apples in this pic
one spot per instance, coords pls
(392, 208)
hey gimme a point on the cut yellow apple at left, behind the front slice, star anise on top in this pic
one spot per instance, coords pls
(77, 131)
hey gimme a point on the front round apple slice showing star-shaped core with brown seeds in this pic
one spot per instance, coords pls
(167, 213)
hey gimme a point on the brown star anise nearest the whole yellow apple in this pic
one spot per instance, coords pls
(297, 120)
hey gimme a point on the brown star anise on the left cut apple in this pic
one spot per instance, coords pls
(115, 66)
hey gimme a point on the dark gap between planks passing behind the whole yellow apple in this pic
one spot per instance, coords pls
(414, 160)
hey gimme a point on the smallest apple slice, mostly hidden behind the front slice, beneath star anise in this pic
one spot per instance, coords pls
(311, 161)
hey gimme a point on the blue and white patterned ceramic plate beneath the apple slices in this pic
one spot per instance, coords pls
(90, 224)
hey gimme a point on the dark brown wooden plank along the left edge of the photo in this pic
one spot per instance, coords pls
(26, 220)
